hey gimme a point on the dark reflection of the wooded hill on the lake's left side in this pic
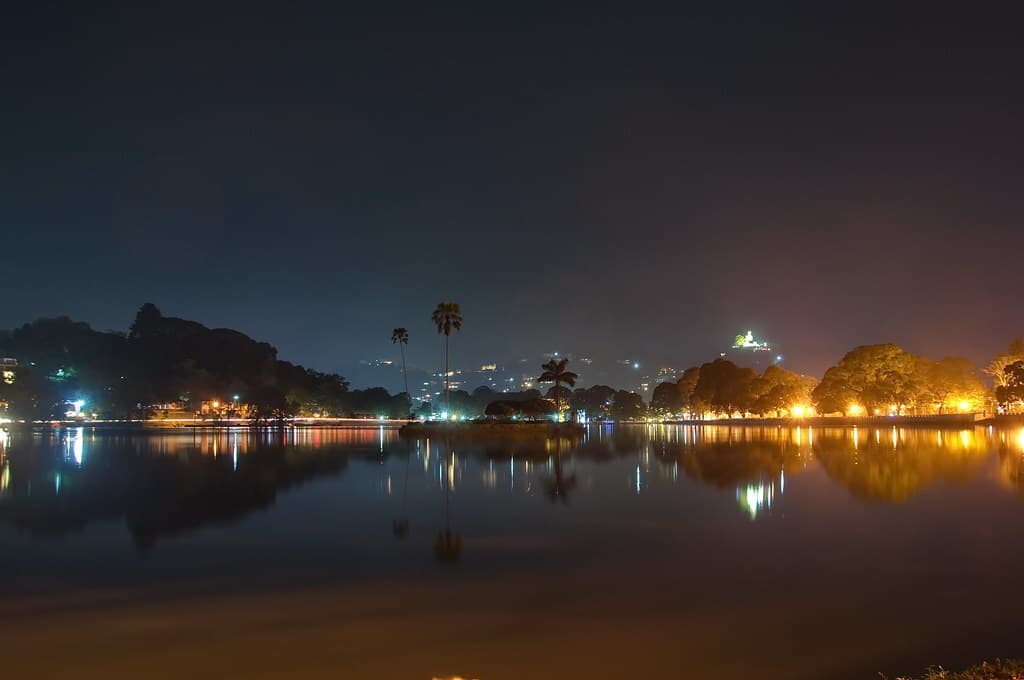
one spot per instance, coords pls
(158, 496)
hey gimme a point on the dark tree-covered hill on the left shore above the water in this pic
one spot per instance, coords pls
(162, 360)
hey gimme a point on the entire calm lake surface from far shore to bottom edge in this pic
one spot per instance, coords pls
(711, 552)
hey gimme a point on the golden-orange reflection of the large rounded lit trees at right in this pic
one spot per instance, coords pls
(886, 466)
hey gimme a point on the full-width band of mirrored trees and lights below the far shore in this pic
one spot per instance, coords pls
(170, 484)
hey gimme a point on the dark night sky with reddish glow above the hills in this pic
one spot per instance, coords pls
(596, 180)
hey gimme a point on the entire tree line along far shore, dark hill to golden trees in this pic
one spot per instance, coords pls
(162, 360)
